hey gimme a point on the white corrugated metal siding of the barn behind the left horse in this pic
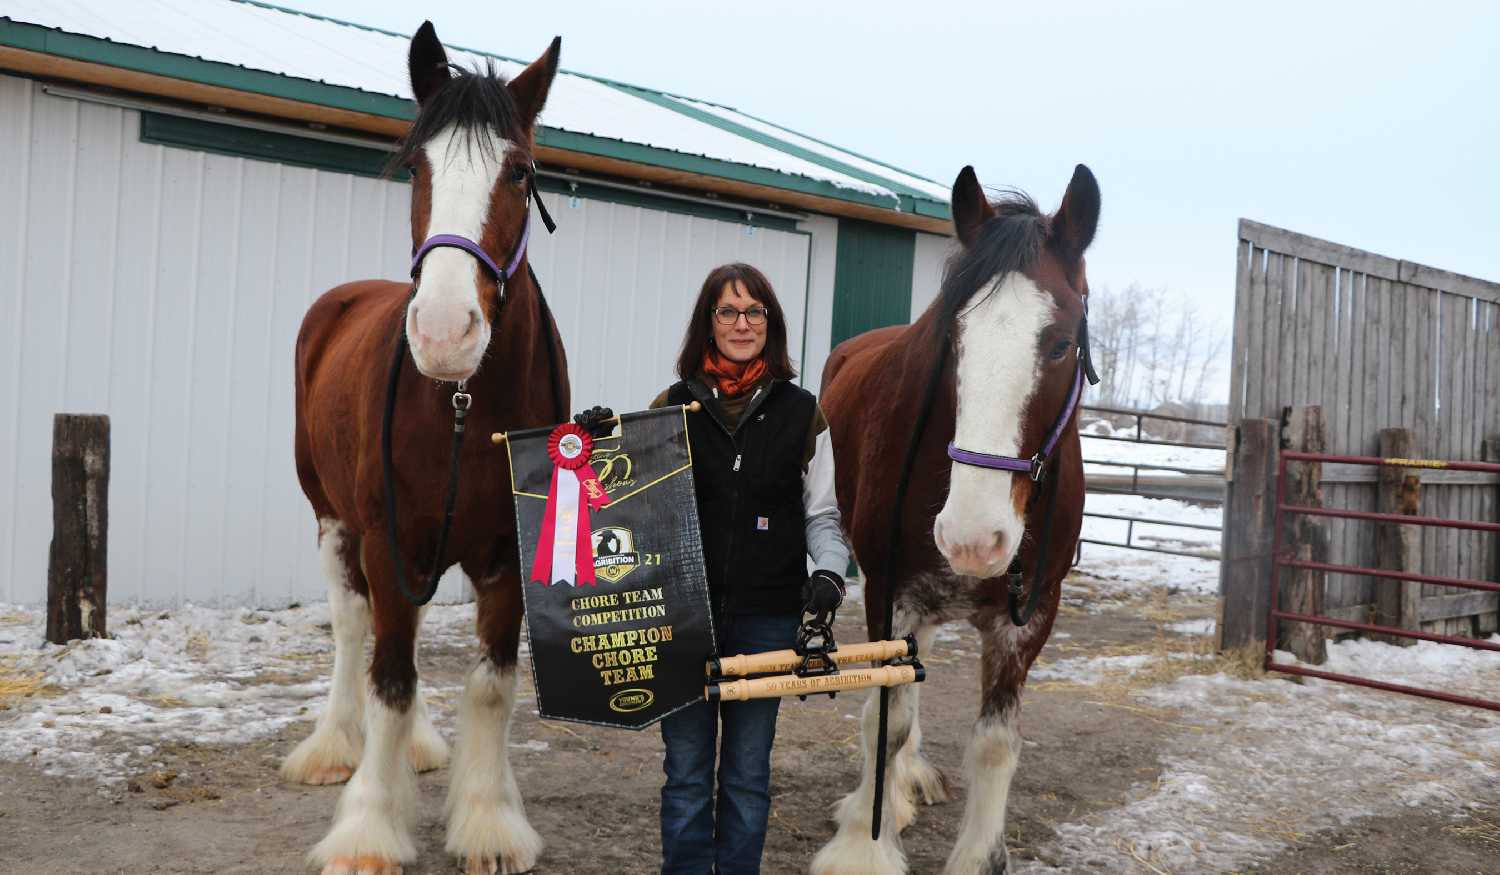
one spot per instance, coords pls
(166, 287)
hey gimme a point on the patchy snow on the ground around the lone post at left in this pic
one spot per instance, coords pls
(221, 676)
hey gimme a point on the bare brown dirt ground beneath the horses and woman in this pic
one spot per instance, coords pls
(593, 793)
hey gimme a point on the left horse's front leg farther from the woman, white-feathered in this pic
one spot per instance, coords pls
(373, 825)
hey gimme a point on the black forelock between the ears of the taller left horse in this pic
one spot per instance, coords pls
(476, 101)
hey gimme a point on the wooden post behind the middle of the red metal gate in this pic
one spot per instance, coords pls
(1399, 549)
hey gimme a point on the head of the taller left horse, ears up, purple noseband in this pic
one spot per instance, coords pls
(470, 157)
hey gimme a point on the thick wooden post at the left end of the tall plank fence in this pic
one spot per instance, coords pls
(1249, 516)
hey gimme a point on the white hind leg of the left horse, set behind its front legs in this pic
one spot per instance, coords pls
(334, 750)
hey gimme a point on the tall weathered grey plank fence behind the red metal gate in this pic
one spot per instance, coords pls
(1376, 343)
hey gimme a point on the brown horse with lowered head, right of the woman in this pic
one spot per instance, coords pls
(1006, 332)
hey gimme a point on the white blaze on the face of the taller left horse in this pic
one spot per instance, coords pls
(445, 322)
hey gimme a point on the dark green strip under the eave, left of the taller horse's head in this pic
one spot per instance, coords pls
(197, 134)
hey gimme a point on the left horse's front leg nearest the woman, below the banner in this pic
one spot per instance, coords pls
(487, 819)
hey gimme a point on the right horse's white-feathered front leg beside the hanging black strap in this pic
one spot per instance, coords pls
(851, 852)
